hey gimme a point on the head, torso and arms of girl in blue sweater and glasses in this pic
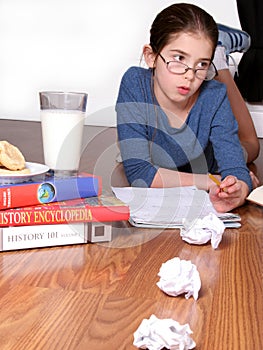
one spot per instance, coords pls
(175, 123)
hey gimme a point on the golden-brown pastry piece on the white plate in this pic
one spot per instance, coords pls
(11, 157)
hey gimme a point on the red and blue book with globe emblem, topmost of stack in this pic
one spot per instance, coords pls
(50, 189)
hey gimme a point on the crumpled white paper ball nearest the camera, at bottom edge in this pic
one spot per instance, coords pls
(156, 334)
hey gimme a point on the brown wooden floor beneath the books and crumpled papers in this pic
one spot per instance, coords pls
(94, 296)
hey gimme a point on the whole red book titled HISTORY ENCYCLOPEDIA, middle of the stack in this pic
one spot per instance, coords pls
(92, 209)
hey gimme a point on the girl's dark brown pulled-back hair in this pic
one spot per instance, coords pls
(181, 17)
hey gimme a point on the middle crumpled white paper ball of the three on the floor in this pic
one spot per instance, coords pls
(178, 277)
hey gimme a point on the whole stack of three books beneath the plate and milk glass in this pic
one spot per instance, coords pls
(57, 211)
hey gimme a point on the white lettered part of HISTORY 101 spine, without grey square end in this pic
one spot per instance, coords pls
(25, 237)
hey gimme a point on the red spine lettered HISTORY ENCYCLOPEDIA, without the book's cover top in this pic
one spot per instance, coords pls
(56, 214)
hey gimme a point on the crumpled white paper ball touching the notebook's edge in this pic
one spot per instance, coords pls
(203, 230)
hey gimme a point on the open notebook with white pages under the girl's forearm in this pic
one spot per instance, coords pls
(169, 207)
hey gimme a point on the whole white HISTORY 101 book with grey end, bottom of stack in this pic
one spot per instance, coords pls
(40, 236)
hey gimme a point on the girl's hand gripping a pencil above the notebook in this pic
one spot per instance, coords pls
(229, 195)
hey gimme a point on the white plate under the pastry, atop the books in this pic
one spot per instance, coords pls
(36, 169)
